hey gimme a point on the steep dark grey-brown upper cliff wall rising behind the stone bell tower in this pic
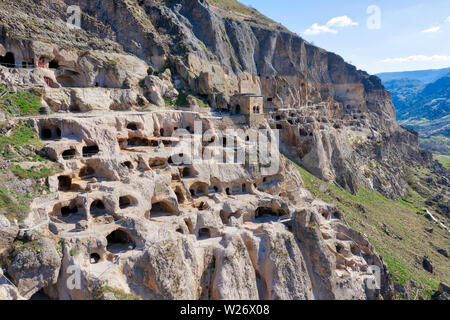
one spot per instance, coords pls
(330, 113)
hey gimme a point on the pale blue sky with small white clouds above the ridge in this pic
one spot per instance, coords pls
(410, 35)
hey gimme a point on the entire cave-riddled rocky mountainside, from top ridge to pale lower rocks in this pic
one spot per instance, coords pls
(132, 222)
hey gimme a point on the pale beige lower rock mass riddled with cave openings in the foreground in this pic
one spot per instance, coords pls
(134, 220)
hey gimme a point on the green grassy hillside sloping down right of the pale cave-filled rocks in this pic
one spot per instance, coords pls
(403, 250)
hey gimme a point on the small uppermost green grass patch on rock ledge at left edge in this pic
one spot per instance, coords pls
(20, 102)
